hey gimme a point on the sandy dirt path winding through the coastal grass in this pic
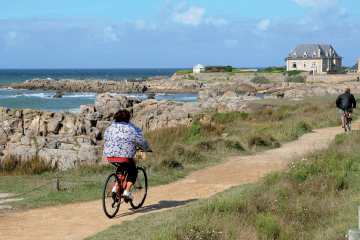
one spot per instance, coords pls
(78, 221)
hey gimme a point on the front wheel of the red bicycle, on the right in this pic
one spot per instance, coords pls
(139, 189)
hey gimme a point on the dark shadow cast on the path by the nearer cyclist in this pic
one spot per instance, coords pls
(154, 207)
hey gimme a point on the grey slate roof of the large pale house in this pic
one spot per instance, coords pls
(311, 48)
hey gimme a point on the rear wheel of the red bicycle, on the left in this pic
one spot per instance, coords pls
(111, 203)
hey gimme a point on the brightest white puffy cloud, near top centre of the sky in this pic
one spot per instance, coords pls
(193, 16)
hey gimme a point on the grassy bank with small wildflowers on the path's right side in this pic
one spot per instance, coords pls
(315, 197)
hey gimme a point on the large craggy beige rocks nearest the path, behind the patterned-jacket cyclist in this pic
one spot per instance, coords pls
(71, 140)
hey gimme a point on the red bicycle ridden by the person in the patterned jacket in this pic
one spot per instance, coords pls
(111, 200)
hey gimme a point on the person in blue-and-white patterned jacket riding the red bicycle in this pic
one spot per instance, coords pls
(121, 139)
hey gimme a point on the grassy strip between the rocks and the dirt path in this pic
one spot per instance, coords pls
(180, 150)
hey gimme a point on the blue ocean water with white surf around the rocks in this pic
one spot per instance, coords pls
(42, 100)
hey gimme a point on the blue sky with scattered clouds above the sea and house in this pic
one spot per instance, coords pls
(171, 33)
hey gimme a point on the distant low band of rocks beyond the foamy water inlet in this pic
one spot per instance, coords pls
(174, 85)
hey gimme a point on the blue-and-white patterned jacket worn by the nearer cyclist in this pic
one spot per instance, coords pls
(121, 140)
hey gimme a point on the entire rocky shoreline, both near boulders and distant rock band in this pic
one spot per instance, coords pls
(70, 140)
